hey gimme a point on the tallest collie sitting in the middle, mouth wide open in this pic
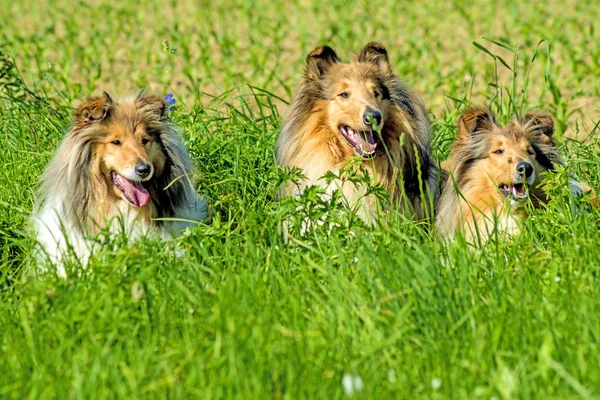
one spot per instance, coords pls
(359, 109)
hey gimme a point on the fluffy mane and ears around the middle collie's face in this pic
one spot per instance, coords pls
(308, 141)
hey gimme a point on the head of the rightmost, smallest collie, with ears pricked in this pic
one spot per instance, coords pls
(508, 160)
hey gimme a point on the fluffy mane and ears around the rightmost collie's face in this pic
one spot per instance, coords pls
(469, 199)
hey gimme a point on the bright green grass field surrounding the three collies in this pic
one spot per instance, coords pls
(241, 314)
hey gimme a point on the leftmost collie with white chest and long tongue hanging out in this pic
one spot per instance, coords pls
(121, 167)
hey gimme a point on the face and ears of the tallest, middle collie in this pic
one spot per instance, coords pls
(355, 95)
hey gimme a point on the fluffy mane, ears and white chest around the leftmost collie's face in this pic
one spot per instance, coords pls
(74, 200)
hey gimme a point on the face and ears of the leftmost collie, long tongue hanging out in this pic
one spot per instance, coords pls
(128, 151)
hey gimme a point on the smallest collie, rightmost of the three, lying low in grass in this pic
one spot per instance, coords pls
(494, 170)
